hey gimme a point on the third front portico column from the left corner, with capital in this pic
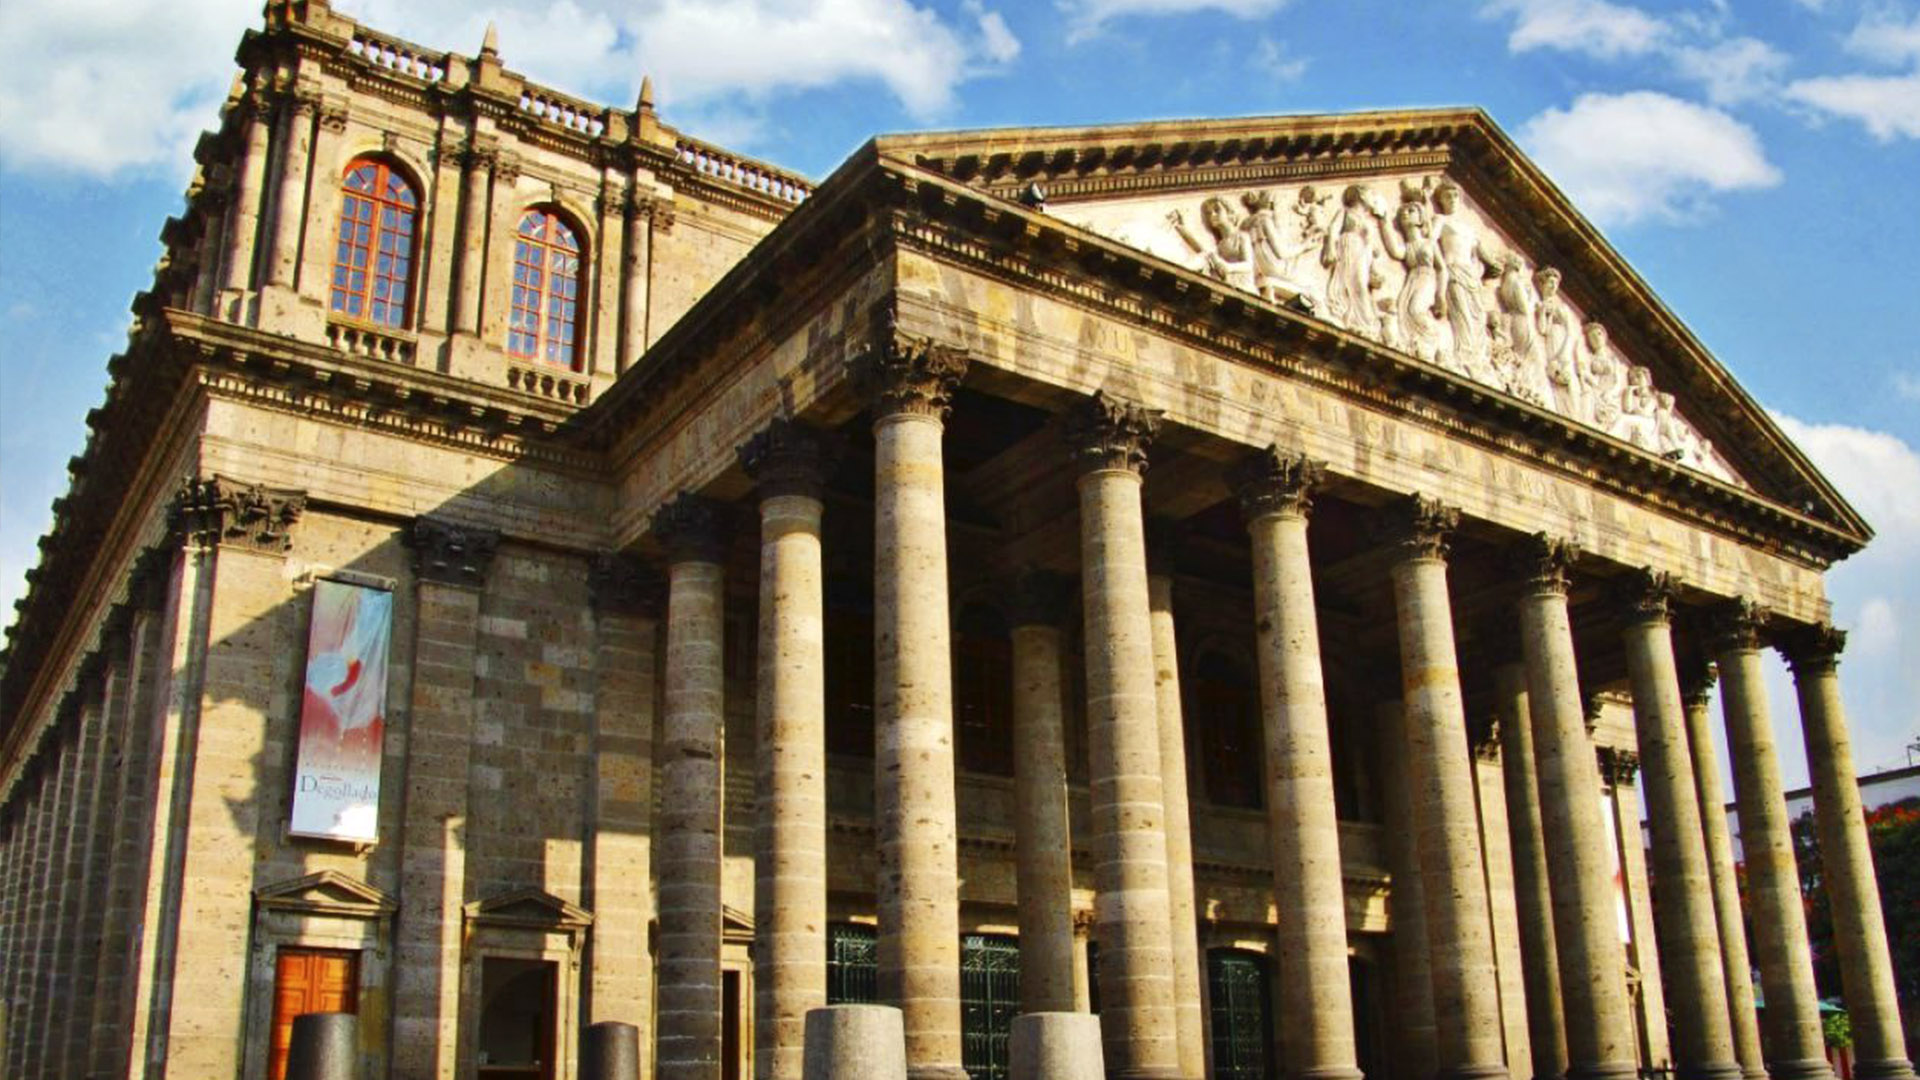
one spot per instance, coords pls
(1303, 823)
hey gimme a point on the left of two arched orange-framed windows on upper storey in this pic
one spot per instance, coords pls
(373, 258)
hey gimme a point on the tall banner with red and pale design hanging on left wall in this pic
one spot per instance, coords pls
(343, 716)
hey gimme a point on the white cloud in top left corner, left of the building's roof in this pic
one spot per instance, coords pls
(107, 89)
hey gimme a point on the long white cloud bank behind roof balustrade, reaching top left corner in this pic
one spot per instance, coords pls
(107, 87)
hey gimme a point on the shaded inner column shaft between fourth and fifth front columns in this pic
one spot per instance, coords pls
(1547, 1025)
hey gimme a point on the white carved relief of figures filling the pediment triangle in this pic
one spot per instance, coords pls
(1408, 262)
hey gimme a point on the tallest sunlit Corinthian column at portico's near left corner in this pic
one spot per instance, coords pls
(913, 704)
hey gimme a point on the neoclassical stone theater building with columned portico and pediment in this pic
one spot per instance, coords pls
(535, 568)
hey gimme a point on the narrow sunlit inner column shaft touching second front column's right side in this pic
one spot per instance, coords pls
(1189, 1021)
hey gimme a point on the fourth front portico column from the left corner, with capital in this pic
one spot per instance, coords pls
(1452, 881)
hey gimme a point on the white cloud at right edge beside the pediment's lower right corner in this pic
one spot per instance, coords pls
(1877, 595)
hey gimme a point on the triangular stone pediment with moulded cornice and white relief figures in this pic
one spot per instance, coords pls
(1426, 233)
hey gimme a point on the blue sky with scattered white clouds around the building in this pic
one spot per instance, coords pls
(1758, 162)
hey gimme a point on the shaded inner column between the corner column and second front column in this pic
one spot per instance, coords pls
(1044, 858)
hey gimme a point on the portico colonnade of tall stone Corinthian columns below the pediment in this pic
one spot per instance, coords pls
(1579, 1006)
